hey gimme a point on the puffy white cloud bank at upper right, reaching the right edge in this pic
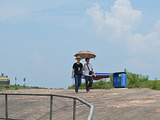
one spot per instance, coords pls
(118, 25)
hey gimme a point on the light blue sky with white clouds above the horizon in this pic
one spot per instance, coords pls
(38, 38)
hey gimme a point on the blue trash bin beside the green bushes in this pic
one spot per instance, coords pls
(120, 79)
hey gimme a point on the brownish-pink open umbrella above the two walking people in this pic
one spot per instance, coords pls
(85, 54)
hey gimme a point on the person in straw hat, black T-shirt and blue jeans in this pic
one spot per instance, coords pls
(77, 71)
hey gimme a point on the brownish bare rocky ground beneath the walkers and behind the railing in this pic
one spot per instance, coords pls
(114, 104)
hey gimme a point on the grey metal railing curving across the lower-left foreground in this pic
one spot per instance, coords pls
(90, 115)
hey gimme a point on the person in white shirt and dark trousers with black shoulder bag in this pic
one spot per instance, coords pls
(88, 69)
